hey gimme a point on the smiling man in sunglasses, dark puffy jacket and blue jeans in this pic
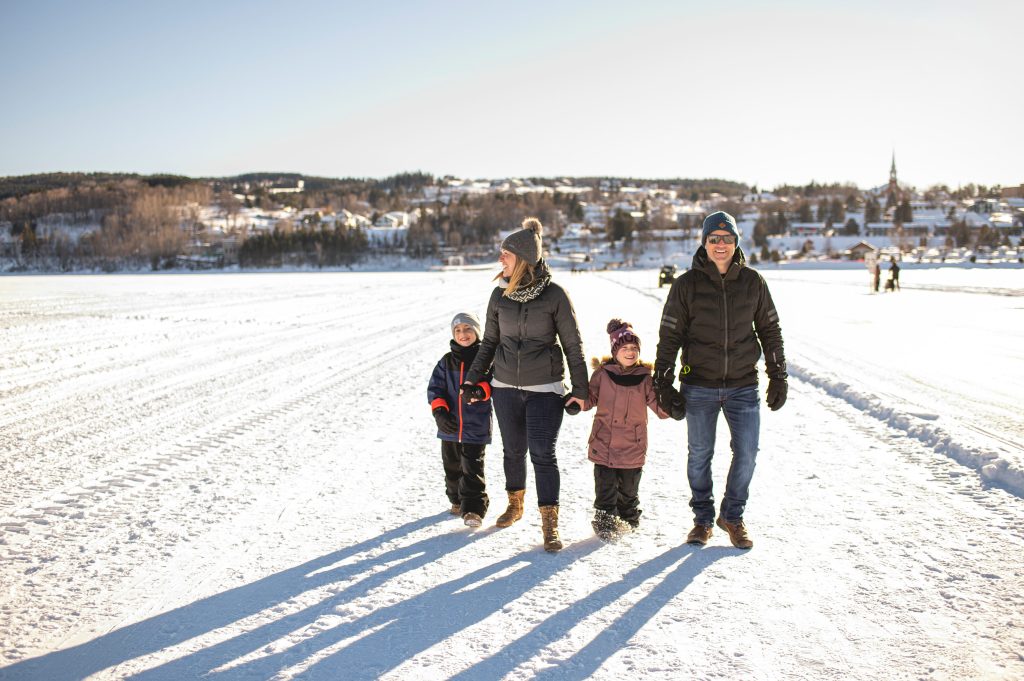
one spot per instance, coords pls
(720, 314)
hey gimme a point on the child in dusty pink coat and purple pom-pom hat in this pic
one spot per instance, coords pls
(622, 390)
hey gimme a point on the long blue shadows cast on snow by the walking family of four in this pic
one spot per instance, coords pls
(389, 636)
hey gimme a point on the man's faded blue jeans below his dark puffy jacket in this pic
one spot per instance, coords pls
(743, 414)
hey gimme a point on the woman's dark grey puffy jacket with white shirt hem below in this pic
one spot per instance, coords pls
(521, 340)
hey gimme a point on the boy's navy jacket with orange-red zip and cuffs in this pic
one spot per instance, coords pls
(475, 420)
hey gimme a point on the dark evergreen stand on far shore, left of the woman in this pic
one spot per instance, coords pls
(319, 247)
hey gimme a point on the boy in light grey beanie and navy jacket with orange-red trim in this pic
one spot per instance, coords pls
(463, 430)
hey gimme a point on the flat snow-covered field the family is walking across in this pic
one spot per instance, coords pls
(236, 477)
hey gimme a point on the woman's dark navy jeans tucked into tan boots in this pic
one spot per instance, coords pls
(530, 421)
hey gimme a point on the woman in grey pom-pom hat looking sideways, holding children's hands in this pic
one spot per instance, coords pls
(528, 317)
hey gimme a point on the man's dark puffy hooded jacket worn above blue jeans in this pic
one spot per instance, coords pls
(717, 322)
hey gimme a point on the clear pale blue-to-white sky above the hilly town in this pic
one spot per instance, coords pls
(758, 93)
